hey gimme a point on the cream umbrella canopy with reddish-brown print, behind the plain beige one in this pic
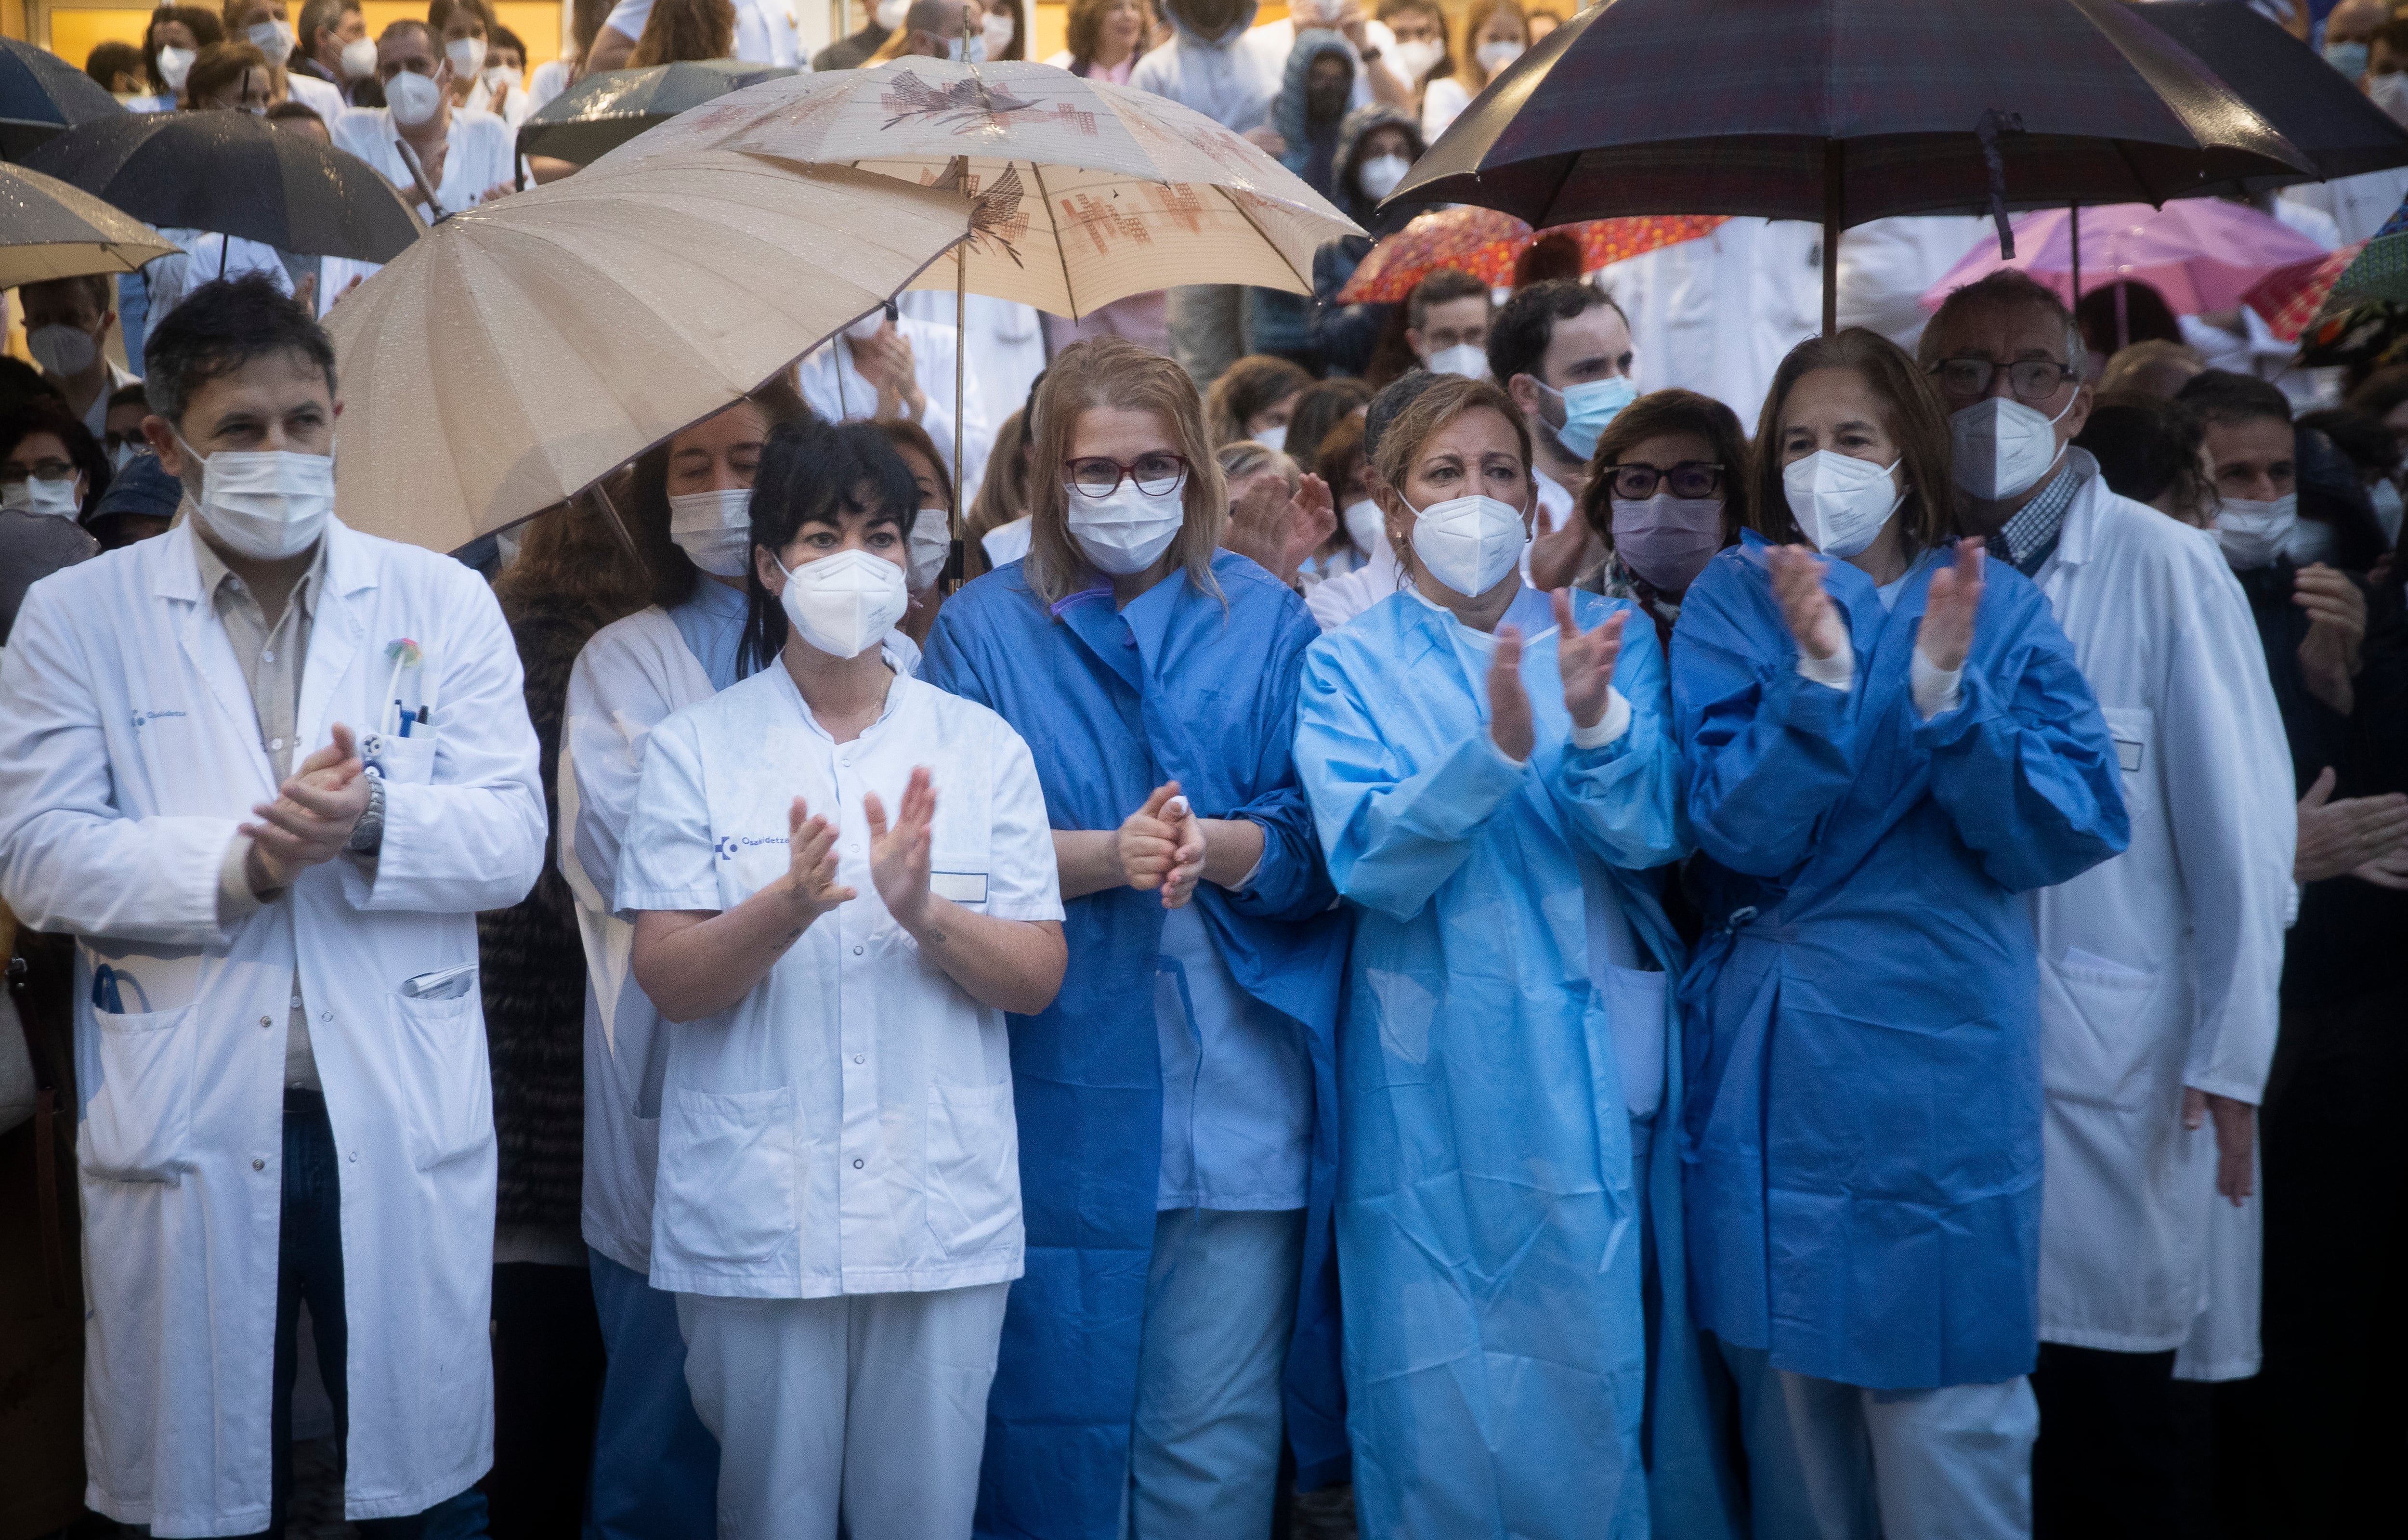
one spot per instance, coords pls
(1085, 191)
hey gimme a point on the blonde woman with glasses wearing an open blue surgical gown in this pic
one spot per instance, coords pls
(1176, 1101)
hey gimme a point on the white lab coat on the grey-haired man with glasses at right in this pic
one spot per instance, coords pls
(2159, 969)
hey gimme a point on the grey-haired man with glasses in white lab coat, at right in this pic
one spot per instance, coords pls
(2159, 969)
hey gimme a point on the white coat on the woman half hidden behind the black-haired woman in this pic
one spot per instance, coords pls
(630, 680)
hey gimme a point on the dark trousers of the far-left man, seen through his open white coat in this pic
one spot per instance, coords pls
(309, 1269)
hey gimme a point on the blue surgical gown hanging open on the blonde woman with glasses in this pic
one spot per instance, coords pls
(1200, 689)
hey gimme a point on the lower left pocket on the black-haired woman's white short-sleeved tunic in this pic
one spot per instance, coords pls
(726, 1183)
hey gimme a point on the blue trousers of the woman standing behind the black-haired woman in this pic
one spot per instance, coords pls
(656, 1464)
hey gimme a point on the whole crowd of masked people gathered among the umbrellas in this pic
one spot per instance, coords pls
(1501, 916)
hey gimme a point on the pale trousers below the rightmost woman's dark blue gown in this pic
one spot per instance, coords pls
(1834, 1462)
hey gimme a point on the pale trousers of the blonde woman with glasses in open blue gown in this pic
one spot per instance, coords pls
(1220, 1313)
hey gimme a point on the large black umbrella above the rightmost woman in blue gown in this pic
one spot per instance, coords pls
(1848, 112)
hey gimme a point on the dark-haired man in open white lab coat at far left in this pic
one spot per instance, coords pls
(266, 771)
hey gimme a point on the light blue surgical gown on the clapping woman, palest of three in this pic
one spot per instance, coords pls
(1489, 1233)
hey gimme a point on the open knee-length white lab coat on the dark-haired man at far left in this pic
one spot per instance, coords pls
(129, 754)
